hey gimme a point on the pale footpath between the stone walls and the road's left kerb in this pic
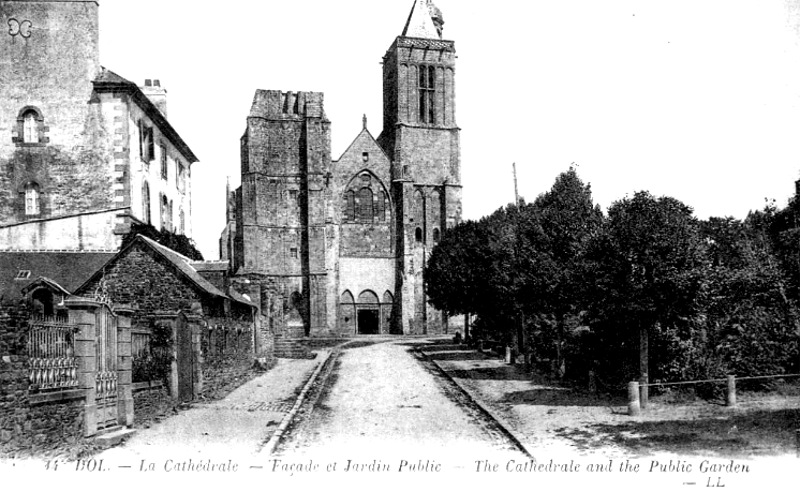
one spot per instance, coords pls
(235, 426)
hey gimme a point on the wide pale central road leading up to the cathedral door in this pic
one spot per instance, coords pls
(380, 401)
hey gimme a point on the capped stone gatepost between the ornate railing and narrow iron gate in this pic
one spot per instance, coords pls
(82, 313)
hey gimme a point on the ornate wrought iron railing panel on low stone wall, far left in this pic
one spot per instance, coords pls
(52, 364)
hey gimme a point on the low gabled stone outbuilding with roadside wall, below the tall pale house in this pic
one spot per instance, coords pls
(213, 336)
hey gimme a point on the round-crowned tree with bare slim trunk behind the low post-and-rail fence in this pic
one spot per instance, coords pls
(645, 266)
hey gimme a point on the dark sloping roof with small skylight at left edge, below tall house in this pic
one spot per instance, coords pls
(68, 269)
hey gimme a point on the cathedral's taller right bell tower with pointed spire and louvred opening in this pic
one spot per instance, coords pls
(421, 136)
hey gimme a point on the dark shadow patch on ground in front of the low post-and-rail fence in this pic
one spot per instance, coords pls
(750, 433)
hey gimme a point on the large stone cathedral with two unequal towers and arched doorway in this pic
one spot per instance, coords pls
(339, 247)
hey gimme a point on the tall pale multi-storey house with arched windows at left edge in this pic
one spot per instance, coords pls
(84, 152)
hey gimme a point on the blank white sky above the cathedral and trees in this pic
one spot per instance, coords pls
(694, 99)
